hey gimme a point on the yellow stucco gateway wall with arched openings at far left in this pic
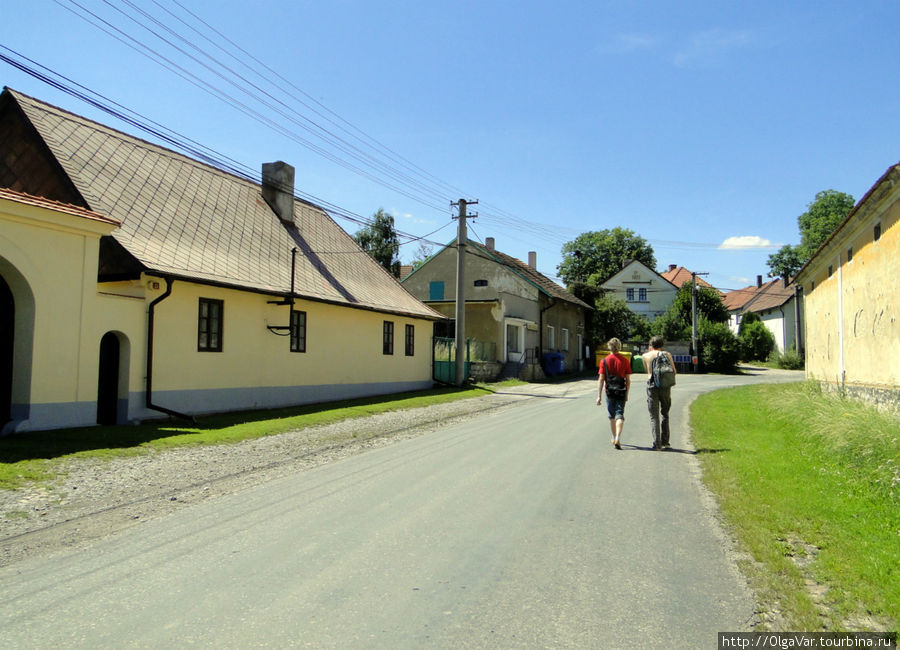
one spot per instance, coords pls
(50, 259)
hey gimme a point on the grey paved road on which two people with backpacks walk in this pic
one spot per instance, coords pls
(519, 529)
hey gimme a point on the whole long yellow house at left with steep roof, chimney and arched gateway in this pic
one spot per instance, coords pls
(136, 281)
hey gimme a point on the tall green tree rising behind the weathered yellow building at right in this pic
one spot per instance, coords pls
(822, 216)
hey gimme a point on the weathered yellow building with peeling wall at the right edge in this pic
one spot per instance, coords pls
(852, 299)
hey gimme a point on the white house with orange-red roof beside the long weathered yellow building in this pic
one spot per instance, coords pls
(774, 302)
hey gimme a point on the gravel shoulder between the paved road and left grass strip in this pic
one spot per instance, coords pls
(94, 498)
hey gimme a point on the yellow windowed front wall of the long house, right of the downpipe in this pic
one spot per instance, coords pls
(344, 346)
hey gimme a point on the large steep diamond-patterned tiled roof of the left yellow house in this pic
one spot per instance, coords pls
(188, 219)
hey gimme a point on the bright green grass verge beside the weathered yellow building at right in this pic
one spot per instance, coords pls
(810, 485)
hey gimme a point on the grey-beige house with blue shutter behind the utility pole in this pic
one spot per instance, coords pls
(518, 312)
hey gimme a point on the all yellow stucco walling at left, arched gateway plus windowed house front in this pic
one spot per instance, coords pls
(50, 261)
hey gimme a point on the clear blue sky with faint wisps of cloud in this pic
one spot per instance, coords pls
(699, 125)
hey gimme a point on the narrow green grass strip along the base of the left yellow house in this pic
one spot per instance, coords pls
(36, 457)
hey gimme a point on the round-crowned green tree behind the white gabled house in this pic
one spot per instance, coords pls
(594, 257)
